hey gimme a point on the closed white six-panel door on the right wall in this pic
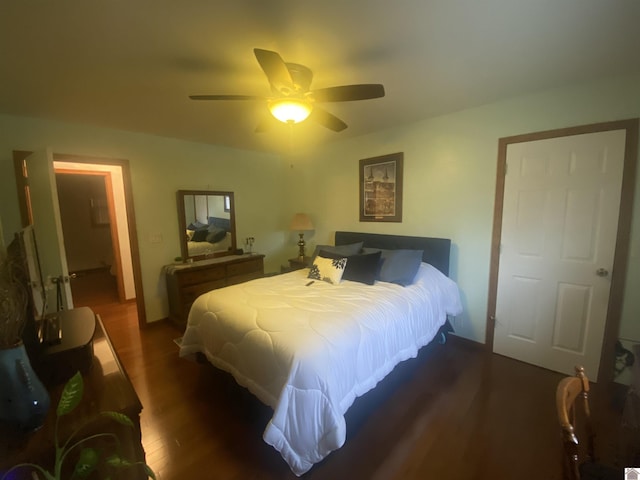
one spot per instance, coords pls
(559, 227)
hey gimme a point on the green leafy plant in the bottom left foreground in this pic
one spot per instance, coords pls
(89, 458)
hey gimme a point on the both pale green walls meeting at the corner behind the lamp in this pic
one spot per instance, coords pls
(449, 184)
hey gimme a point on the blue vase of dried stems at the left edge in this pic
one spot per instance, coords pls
(24, 400)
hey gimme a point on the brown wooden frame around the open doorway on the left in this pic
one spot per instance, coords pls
(19, 155)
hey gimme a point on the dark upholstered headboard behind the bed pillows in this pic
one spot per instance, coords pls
(436, 250)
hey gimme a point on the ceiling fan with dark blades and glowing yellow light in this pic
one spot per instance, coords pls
(292, 100)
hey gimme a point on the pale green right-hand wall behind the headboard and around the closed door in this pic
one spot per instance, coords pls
(449, 182)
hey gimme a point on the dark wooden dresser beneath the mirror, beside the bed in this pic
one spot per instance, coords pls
(187, 281)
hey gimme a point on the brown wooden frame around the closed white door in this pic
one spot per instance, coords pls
(618, 276)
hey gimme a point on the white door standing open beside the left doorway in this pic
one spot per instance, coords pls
(48, 227)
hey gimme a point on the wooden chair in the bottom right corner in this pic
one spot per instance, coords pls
(580, 462)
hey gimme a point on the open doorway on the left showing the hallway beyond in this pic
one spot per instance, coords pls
(93, 211)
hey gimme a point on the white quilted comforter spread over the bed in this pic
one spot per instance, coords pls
(309, 351)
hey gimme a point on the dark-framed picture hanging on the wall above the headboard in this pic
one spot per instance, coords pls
(381, 188)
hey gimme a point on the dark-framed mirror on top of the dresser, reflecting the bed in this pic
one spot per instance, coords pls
(207, 223)
